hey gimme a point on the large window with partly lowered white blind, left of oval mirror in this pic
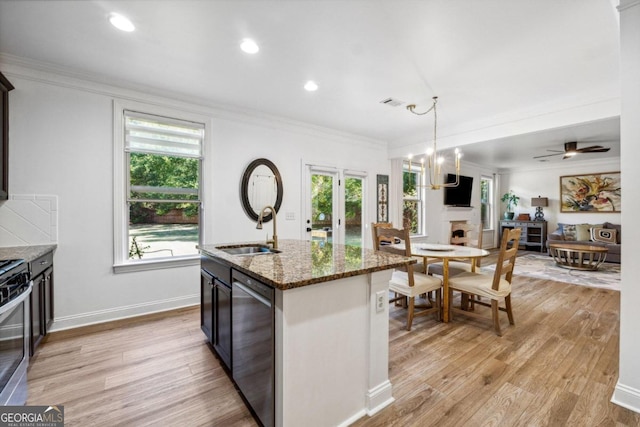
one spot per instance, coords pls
(160, 209)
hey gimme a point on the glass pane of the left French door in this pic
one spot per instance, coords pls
(322, 207)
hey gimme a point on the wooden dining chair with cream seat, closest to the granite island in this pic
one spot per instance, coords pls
(409, 283)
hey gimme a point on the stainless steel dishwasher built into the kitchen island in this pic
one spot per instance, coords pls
(252, 325)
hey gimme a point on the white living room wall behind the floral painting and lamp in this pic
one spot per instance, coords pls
(545, 181)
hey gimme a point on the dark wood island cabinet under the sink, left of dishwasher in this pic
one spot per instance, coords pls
(215, 306)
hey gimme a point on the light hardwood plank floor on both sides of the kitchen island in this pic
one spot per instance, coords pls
(557, 366)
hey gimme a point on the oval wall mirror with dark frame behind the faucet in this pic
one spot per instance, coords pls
(261, 186)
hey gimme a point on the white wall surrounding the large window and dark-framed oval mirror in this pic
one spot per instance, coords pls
(61, 137)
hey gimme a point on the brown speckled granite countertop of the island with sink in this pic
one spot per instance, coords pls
(304, 262)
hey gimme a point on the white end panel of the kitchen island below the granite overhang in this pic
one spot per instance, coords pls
(332, 351)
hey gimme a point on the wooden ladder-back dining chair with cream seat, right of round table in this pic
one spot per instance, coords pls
(496, 287)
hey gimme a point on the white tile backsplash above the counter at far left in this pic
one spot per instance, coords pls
(29, 219)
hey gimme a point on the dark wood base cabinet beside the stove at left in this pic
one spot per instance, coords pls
(41, 302)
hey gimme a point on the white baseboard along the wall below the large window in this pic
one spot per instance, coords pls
(117, 313)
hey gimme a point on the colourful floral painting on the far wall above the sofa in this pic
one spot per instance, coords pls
(593, 193)
